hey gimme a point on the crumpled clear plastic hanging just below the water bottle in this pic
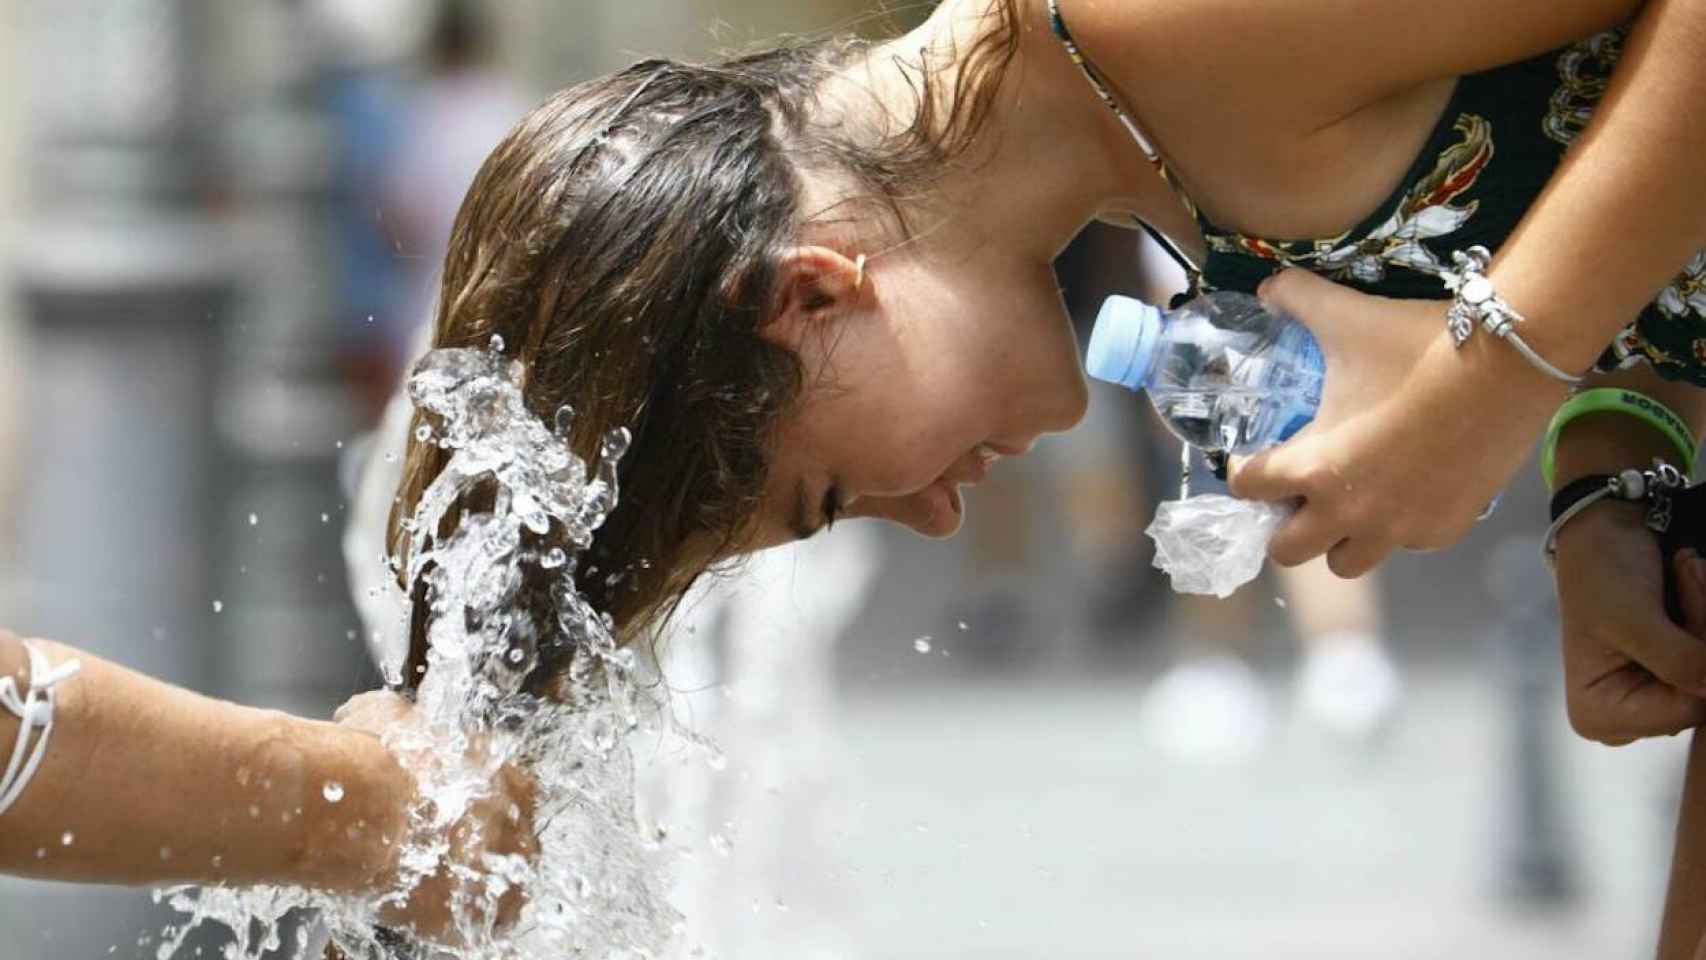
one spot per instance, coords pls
(1214, 545)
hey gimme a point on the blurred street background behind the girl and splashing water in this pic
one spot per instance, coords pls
(221, 221)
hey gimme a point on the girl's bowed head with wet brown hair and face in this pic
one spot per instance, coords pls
(678, 250)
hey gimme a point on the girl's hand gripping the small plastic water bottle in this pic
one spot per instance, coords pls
(1413, 437)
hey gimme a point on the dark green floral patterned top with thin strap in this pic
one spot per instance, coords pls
(1492, 153)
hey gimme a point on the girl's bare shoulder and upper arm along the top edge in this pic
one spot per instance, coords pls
(1330, 55)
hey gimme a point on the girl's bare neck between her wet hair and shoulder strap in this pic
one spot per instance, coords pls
(1050, 158)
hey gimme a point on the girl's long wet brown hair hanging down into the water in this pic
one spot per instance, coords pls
(625, 241)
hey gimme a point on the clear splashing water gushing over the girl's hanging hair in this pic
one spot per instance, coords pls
(595, 891)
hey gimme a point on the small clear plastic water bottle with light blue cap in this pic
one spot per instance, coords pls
(1226, 373)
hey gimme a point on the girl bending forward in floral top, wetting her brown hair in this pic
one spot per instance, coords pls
(815, 282)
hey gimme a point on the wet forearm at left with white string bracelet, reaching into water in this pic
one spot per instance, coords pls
(149, 784)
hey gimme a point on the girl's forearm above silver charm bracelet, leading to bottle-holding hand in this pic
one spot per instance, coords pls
(1625, 212)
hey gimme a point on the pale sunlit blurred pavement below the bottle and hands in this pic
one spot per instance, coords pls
(1035, 823)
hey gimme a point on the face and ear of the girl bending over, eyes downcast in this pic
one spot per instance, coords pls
(917, 381)
